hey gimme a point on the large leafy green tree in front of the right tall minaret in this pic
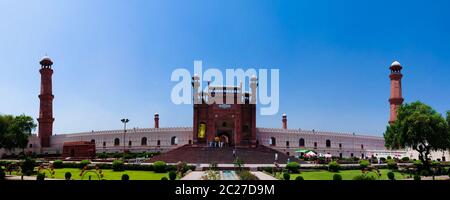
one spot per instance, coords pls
(420, 127)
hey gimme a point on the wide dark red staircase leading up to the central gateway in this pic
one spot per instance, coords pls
(224, 155)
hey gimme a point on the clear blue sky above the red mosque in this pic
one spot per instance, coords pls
(113, 59)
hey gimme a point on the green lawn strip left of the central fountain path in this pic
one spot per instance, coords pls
(108, 174)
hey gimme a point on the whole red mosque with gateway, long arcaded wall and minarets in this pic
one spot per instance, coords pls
(224, 125)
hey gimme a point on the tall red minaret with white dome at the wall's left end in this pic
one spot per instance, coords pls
(46, 103)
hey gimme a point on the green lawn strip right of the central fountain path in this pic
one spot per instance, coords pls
(346, 175)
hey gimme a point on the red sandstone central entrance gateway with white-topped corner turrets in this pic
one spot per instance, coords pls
(218, 121)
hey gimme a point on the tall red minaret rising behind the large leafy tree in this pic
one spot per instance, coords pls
(396, 98)
